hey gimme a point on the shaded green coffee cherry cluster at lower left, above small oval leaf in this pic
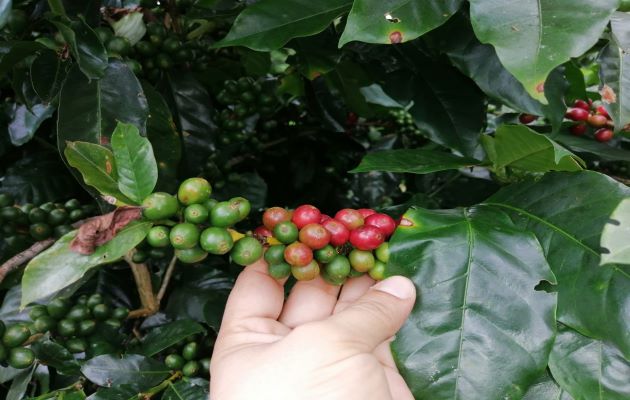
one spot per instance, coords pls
(86, 324)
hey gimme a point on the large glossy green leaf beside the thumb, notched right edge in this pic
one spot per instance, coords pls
(477, 310)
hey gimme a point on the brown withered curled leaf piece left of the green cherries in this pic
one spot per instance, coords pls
(99, 230)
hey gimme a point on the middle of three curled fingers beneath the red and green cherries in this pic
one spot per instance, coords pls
(309, 301)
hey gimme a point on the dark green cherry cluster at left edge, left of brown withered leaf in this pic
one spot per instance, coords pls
(23, 224)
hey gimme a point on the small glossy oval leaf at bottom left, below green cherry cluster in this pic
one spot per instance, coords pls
(108, 370)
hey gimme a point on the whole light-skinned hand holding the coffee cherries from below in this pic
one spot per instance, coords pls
(322, 342)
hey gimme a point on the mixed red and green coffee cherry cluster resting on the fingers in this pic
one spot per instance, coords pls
(306, 243)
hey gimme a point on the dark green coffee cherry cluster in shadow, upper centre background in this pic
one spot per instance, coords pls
(245, 99)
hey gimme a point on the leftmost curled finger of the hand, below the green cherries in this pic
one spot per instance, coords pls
(255, 295)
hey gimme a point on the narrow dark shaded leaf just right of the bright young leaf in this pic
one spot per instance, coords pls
(166, 141)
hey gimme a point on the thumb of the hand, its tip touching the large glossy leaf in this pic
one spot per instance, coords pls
(378, 314)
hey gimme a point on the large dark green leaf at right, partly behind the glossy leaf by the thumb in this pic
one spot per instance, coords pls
(567, 212)
